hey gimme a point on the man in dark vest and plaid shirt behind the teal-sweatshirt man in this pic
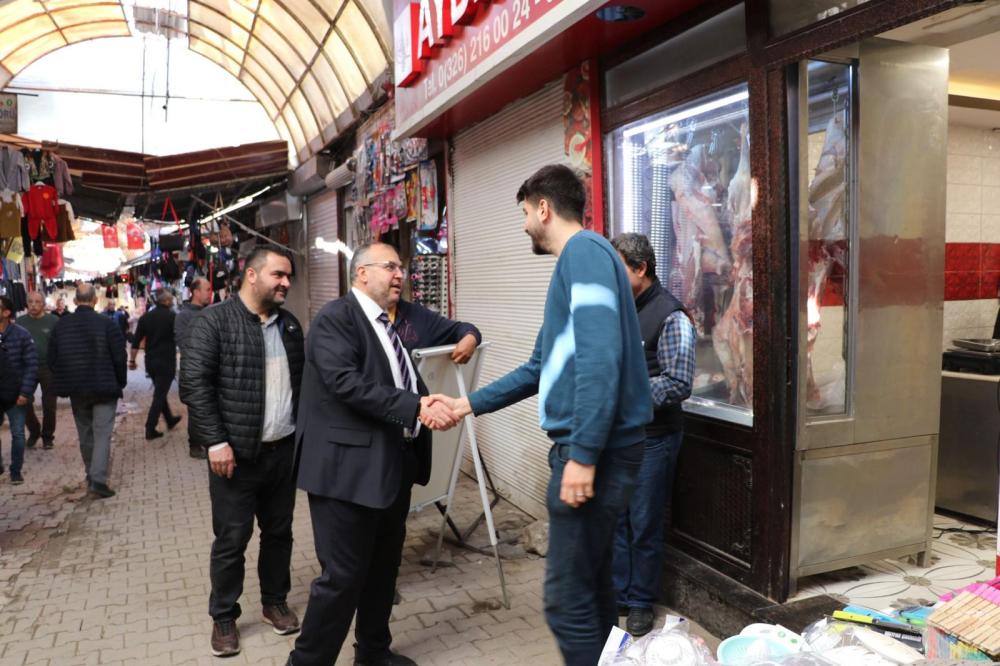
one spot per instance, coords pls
(668, 339)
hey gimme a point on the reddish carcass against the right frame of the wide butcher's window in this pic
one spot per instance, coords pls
(732, 338)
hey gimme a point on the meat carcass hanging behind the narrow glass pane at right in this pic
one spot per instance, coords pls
(827, 235)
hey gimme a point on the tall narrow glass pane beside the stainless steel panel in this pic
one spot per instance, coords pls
(826, 233)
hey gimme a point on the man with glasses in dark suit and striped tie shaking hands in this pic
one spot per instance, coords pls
(362, 442)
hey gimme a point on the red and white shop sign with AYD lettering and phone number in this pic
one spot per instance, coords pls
(445, 49)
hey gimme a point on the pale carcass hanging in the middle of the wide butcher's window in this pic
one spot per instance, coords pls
(699, 245)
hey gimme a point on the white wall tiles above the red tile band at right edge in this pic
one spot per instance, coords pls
(973, 209)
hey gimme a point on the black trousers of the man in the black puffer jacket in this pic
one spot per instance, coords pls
(263, 489)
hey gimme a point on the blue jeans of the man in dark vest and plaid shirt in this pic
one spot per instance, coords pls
(638, 552)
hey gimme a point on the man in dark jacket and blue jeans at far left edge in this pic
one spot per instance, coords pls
(18, 378)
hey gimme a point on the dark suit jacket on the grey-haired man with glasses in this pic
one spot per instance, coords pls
(349, 435)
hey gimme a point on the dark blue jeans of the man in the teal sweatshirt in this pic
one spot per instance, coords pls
(579, 594)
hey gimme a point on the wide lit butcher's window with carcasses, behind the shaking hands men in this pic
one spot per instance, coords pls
(682, 177)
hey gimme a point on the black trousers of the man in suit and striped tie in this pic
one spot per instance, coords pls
(359, 549)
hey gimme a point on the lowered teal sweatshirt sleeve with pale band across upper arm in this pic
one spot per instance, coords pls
(594, 303)
